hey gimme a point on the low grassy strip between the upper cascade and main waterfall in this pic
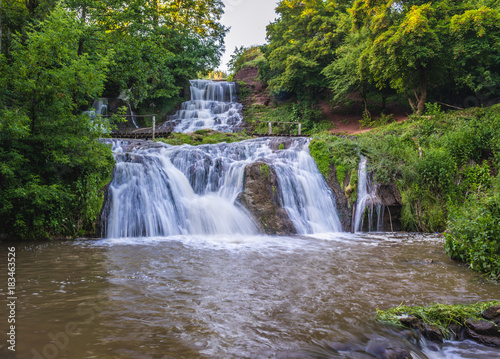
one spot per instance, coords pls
(203, 137)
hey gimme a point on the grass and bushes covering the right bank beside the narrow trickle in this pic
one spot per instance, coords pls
(446, 167)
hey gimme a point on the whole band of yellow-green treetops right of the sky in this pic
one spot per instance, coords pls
(446, 51)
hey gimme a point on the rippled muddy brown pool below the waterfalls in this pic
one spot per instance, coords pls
(234, 297)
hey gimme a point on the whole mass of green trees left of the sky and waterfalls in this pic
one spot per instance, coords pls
(55, 59)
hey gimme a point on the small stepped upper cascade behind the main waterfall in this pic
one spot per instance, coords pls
(212, 106)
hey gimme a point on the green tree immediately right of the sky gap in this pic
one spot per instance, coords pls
(302, 42)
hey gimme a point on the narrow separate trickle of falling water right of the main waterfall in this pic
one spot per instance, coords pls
(368, 206)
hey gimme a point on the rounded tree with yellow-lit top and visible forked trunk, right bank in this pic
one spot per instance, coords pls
(411, 55)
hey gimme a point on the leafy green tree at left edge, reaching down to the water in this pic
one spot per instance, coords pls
(52, 164)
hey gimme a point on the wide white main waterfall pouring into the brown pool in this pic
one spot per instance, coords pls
(162, 190)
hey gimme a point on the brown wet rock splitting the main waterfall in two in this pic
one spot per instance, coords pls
(260, 197)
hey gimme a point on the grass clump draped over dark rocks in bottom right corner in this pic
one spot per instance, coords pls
(439, 315)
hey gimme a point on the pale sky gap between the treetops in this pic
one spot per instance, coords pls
(248, 20)
